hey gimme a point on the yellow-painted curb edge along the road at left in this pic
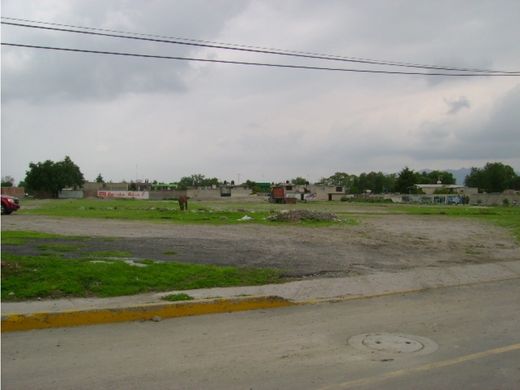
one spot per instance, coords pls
(19, 322)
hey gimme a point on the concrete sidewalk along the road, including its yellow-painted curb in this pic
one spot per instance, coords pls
(86, 311)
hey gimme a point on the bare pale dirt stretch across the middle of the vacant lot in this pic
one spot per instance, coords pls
(378, 243)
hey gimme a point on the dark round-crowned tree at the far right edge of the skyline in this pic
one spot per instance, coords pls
(494, 177)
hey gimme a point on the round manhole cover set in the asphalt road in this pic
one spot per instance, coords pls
(392, 343)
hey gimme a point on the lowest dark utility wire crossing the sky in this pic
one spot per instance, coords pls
(258, 63)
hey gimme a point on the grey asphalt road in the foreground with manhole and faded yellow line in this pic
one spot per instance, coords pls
(474, 332)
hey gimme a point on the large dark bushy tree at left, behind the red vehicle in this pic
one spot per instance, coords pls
(50, 177)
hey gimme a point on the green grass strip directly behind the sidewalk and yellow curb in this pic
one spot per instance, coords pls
(30, 277)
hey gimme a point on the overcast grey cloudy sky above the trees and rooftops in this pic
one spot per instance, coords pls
(134, 118)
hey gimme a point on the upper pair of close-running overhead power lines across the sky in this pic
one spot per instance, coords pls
(227, 46)
